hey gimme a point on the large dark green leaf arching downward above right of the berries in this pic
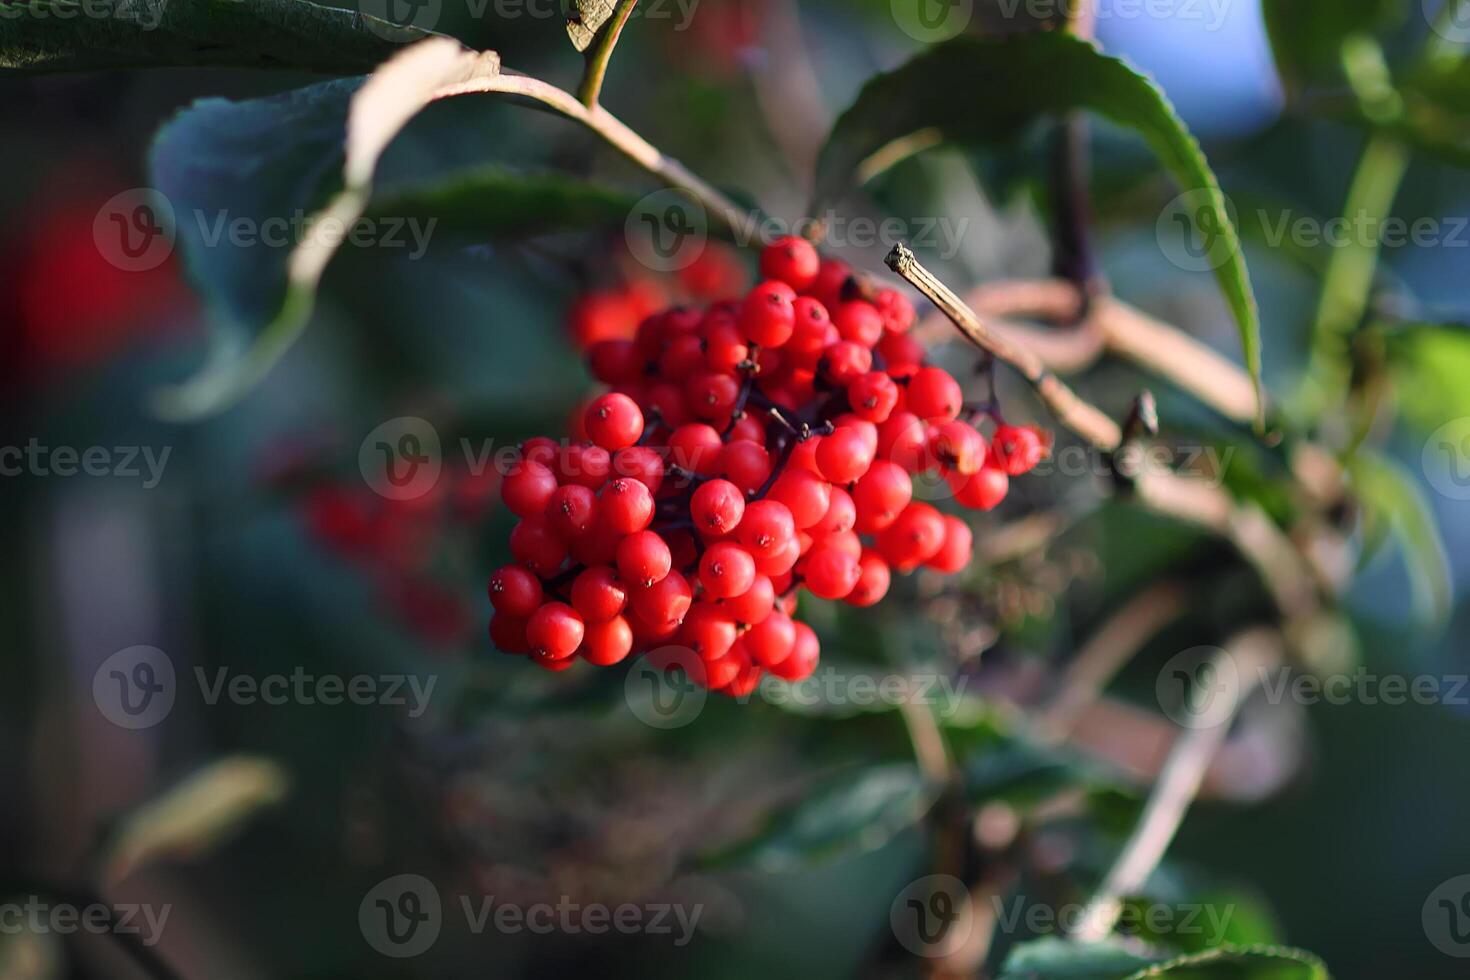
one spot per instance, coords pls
(990, 89)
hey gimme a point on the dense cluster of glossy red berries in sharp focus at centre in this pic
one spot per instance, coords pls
(743, 450)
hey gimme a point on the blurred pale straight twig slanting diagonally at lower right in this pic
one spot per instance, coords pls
(1246, 660)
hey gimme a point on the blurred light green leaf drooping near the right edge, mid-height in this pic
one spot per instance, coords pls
(1391, 499)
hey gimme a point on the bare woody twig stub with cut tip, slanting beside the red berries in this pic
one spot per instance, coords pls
(1081, 417)
